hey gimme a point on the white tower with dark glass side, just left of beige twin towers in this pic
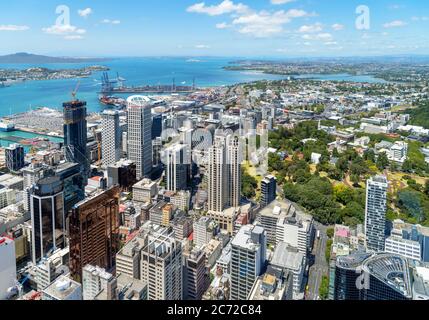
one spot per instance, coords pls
(177, 167)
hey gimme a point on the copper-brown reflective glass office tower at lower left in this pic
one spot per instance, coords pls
(94, 232)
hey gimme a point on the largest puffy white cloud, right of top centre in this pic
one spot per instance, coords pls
(265, 24)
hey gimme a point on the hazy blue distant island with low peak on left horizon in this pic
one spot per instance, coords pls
(27, 58)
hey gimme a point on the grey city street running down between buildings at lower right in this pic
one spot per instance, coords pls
(320, 267)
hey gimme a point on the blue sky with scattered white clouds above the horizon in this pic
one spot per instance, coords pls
(253, 28)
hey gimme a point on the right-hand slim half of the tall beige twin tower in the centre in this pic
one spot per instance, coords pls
(234, 160)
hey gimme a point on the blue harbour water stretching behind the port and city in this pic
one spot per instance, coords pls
(208, 72)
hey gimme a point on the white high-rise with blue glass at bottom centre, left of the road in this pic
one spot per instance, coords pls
(248, 259)
